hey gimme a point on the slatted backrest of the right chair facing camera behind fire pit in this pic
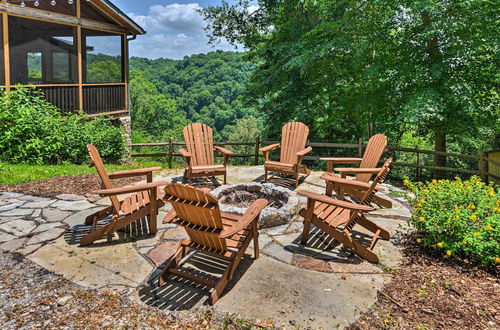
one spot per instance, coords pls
(293, 139)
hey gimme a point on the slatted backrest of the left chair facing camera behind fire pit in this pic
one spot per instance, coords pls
(200, 143)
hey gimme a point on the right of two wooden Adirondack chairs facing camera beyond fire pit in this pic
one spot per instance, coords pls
(293, 148)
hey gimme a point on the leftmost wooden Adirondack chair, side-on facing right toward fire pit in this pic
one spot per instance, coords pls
(144, 201)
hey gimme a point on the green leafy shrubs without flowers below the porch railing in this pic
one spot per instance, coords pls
(32, 131)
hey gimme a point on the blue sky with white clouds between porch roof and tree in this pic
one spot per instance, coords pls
(174, 28)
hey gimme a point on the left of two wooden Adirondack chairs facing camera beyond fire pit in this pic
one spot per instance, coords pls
(200, 153)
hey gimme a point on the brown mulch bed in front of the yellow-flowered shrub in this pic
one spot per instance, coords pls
(428, 292)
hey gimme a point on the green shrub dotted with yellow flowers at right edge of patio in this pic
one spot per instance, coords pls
(458, 218)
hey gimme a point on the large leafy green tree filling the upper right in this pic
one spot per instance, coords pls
(350, 68)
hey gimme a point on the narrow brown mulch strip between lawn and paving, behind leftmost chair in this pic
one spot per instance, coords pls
(71, 184)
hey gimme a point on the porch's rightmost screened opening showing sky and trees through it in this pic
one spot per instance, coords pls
(103, 57)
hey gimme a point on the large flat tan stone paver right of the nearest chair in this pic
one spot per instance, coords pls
(311, 299)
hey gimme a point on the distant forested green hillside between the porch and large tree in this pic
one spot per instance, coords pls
(168, 94)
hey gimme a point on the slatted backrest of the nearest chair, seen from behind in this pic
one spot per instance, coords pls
(200, 211)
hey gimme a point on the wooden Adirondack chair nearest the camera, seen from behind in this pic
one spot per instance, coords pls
(210, 231)
